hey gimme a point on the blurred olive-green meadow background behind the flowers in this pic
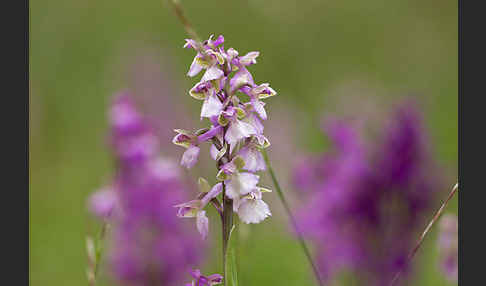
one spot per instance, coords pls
(312, 52)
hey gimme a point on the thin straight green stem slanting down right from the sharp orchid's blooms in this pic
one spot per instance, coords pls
(292, 219)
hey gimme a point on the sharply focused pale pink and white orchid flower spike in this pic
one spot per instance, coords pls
(234, 106)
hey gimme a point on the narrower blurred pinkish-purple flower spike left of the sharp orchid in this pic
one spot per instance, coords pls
(149, 246)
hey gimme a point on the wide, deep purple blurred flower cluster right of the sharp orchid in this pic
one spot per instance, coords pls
(365, 200)
